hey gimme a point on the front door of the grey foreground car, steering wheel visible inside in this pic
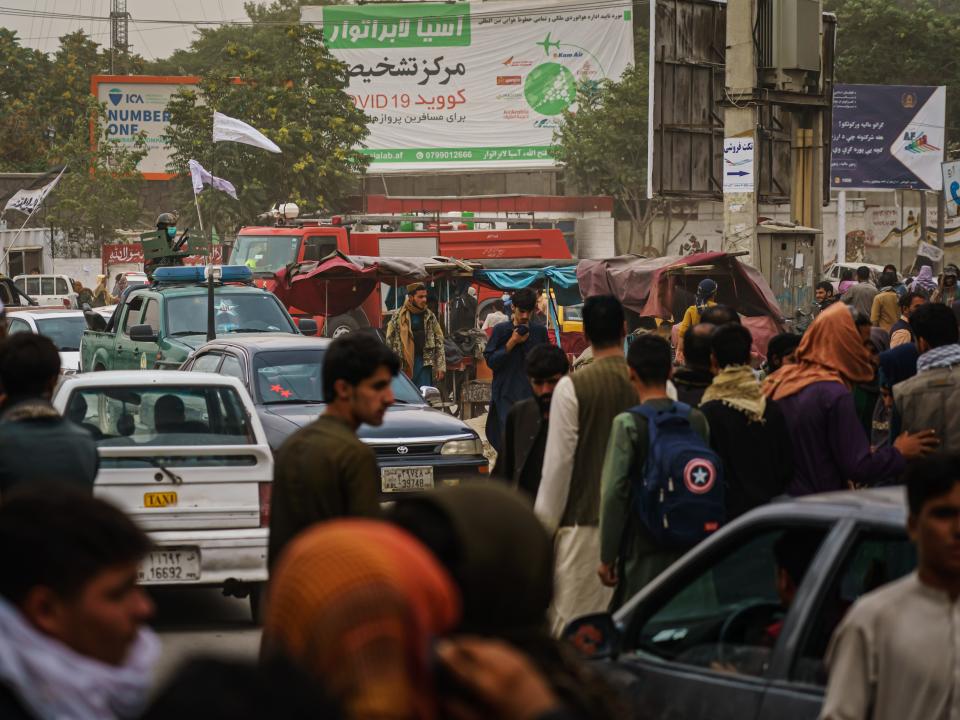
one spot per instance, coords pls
(700, 645)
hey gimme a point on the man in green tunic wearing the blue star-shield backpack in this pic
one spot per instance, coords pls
(629, 558)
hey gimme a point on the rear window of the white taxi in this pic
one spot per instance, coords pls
(161, 415)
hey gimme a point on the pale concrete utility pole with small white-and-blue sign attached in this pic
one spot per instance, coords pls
(740, 121)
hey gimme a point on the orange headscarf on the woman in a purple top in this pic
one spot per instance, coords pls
(831, 351)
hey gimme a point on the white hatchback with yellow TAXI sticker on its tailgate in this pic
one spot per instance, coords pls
(186, 456)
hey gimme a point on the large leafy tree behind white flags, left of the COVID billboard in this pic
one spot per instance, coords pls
(276, 75)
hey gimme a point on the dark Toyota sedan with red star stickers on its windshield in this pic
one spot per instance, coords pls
(418, 447)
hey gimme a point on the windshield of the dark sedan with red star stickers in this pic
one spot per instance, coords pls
(292, 376)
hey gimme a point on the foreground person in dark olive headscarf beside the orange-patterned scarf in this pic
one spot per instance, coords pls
(501, 558)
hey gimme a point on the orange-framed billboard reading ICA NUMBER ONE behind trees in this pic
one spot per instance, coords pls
(138, 103)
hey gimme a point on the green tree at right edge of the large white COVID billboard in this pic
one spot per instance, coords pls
(603, 143)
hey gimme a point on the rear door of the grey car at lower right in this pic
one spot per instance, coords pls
(871, 556)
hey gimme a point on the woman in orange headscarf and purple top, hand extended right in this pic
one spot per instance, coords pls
(831, 449)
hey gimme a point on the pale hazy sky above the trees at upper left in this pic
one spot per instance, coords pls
(148, 39)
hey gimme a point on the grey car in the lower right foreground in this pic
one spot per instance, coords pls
(716, 636)
